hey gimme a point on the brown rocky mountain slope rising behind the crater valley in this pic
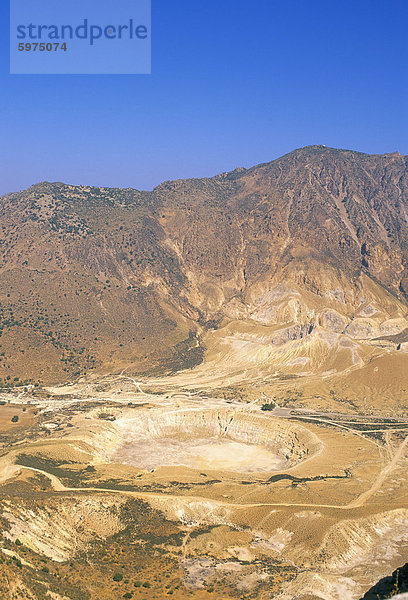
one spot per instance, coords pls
(291, 269)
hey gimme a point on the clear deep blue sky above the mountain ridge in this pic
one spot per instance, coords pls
(233, 84)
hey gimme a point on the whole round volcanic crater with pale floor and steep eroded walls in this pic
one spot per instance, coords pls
(212, 440)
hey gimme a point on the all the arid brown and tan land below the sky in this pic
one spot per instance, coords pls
(204, 388)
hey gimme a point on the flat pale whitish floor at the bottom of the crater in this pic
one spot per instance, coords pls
(205, 453)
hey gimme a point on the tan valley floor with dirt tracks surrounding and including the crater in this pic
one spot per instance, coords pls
(326, 520)
